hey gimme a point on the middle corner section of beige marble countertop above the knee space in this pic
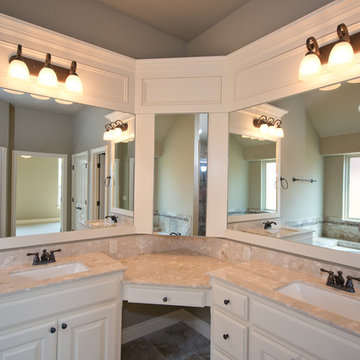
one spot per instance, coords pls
(182, 268)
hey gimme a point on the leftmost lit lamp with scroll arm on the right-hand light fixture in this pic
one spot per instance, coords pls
(310, 64)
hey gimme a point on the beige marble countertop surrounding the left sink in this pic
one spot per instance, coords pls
(97, 263)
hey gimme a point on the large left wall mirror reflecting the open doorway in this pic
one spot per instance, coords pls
(57, 172)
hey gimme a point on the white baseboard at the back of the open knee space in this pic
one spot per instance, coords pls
(147, 327)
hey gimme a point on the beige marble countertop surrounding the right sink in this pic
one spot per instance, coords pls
(263, 279)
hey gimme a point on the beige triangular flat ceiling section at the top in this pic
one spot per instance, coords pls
(183, 19)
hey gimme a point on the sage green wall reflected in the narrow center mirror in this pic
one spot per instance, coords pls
(175, 168)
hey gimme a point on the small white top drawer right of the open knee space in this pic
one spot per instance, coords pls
(231, 301)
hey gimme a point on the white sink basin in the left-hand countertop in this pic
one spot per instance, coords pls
(47, 272)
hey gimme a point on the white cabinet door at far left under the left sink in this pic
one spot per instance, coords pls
(32, 343)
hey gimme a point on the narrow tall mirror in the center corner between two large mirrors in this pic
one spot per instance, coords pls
(180, 174)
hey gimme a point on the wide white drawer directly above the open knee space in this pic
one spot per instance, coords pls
(164, 296)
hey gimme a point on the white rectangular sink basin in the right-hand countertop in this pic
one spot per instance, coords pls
(328, 300)
